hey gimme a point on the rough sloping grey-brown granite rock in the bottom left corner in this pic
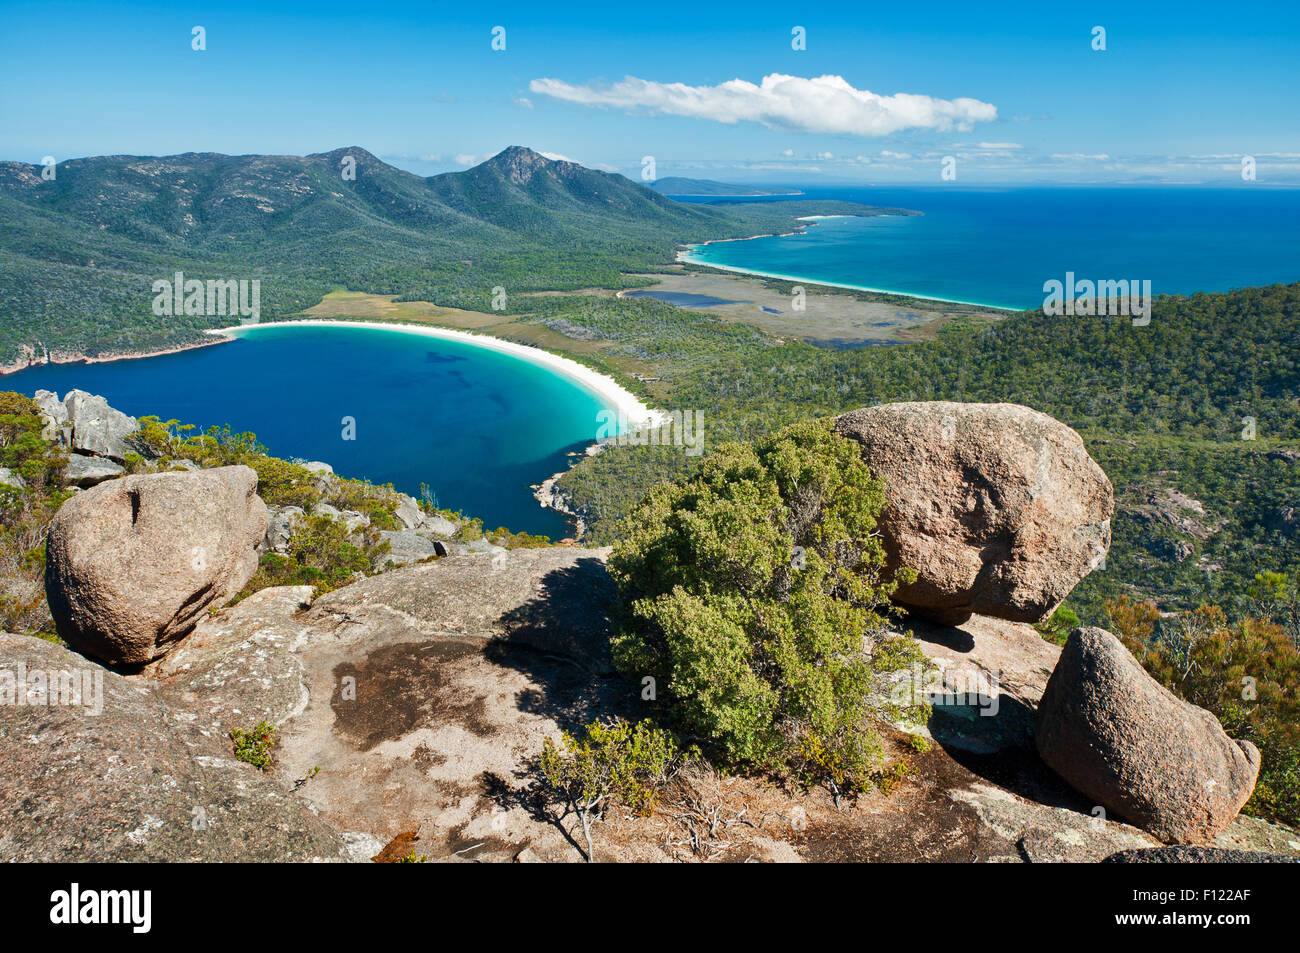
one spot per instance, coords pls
(118, 772)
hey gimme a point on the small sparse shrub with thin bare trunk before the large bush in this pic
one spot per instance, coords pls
(616, 763)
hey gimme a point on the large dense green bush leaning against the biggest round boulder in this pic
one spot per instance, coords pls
(753, 595)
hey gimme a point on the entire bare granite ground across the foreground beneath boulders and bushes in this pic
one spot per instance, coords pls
(423, 698)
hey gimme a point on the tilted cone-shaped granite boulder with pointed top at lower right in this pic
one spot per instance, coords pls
(1121, 738)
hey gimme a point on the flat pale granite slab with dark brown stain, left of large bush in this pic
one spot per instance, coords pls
(422, 694)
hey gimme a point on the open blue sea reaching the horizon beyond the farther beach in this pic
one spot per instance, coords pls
(999, 246)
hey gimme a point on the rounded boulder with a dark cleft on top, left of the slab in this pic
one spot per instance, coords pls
(133, 564)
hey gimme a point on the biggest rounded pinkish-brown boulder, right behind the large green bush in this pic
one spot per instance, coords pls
(999, 509)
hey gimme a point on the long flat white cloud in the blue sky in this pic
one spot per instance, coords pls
(820, 105)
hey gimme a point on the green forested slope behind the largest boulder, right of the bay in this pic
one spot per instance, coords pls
(1195, 418)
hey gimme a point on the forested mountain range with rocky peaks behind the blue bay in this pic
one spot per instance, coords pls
(80, 253)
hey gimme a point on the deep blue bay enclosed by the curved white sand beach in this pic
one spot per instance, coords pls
(476, 426)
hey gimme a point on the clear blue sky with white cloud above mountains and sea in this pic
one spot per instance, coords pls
(1013, 93)
